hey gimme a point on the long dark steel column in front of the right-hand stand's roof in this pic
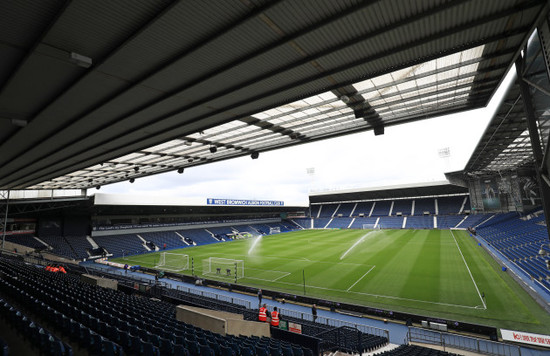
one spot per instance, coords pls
(540, 168)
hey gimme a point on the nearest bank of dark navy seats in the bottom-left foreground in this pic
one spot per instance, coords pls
(107, 321)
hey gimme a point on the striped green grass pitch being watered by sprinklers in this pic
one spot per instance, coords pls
(435, 273)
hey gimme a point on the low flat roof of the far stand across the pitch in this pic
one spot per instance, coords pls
(388, 192)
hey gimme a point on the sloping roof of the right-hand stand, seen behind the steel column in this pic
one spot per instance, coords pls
(505, 144)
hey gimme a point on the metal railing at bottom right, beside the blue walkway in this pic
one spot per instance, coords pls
(466, 343)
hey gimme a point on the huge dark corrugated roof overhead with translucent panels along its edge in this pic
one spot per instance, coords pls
(98, 92)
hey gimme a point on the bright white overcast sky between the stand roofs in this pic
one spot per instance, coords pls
(407, 153)
